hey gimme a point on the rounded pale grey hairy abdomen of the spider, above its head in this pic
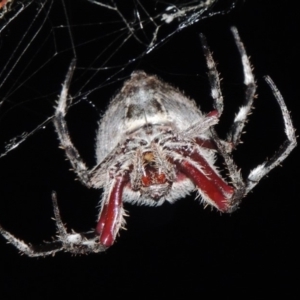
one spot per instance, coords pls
(144, 102)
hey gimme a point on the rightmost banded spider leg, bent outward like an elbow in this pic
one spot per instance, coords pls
(291, 142)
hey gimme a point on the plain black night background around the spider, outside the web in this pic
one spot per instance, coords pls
(182, 249)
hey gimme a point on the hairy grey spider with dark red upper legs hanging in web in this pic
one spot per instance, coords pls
(154, 145)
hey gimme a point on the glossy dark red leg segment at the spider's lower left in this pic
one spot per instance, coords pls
(111, 215)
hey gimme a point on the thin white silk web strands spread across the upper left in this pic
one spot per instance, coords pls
(109, 39)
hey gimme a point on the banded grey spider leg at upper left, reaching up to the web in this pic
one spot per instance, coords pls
(63, 132)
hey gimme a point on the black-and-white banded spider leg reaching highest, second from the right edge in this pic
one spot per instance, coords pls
(237, 127)
